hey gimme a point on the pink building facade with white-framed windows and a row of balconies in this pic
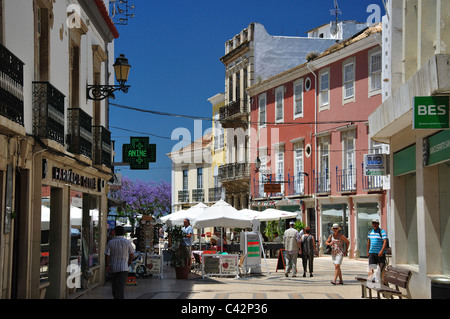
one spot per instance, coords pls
(309, 134)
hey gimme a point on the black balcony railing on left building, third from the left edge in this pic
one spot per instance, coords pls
(80, 132)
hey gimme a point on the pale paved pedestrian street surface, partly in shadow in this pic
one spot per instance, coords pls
(272, 285)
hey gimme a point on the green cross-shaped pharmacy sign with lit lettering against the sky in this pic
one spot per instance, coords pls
(139, 153)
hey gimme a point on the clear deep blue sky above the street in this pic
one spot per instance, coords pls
(174, 47)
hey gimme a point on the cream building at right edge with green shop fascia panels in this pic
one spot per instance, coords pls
(416, 62)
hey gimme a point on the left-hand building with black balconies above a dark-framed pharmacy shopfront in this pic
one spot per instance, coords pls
(56, 151)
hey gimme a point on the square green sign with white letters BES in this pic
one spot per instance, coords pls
(431, 112)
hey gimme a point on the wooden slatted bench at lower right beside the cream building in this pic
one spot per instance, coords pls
(396, 283)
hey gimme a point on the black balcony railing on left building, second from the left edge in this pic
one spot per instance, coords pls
(48, 112)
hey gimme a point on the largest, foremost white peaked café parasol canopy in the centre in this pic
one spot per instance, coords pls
(222, 214)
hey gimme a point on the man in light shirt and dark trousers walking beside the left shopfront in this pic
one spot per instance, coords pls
(119, 255)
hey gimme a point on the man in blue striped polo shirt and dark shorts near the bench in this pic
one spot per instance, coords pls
(376, 247)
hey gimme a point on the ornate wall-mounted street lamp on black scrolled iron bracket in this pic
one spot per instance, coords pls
(101, 92)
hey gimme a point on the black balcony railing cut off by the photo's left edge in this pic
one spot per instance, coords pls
(11, 86)
